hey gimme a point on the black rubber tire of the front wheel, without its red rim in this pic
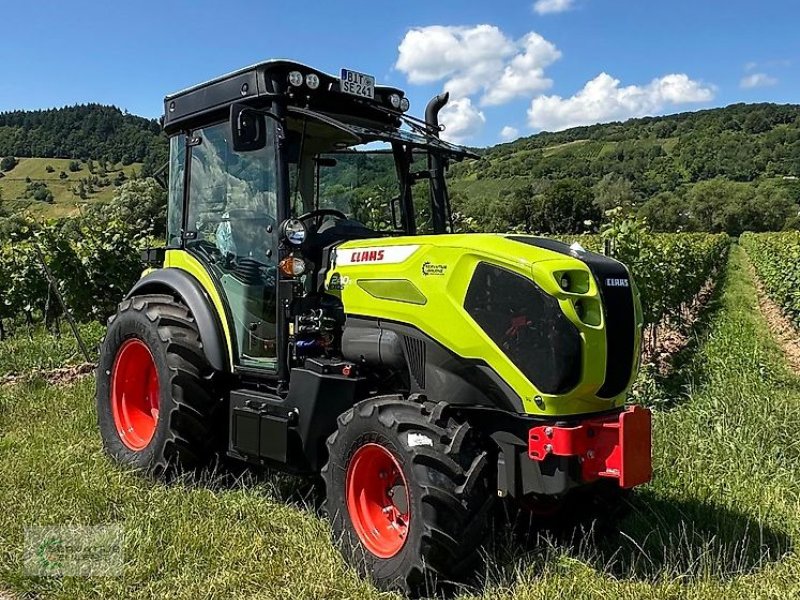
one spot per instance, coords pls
(449, 486)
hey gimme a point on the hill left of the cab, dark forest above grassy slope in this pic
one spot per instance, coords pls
(72, 156)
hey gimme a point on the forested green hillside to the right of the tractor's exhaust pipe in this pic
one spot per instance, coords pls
(726, 169)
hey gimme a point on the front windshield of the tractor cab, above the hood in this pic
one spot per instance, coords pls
(367, 175)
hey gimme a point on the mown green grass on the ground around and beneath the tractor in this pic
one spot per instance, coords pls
(720, 519)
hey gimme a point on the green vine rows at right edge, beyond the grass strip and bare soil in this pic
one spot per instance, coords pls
(776, 257)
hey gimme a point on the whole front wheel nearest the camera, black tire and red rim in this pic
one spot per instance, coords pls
(408, 492)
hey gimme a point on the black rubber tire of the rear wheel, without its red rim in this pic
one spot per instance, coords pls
(190, 420)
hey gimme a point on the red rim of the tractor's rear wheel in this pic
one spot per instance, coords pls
(135, 394)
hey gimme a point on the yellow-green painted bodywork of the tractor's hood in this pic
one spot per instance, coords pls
(441, 270)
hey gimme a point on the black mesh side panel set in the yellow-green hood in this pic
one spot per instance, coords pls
(528, 326)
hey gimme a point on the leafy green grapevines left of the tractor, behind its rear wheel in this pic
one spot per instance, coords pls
(94, 258)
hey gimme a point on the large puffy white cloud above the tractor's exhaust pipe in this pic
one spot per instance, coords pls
(478, 58)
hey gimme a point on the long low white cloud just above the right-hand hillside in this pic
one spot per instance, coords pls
(602, 99)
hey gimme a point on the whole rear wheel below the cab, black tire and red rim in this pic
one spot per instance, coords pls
(156, 403)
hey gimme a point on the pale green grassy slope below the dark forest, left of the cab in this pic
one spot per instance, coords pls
(65, 201)
